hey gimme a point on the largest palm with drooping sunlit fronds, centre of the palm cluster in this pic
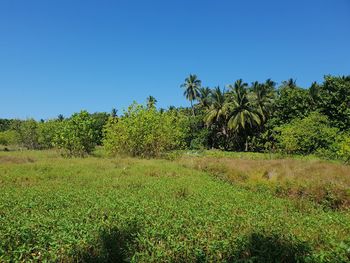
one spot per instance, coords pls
(240, 110)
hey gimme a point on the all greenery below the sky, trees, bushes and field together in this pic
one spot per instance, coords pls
(269, 197)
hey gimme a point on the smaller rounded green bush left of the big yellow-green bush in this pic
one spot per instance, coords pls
(76, 135)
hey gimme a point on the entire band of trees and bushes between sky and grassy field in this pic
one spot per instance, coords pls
(260, 116)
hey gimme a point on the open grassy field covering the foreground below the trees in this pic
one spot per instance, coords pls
(122, 209)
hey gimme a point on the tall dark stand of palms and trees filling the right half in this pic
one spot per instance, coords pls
(257, 117)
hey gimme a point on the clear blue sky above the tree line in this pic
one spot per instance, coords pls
(61, 56)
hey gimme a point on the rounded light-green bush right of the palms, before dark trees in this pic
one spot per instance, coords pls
(308, 135)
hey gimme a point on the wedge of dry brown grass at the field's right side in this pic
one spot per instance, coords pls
(325, 183)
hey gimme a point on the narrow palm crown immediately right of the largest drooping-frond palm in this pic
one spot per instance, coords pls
(262, 98)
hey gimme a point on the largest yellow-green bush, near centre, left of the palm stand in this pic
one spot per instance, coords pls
(145, 132)
